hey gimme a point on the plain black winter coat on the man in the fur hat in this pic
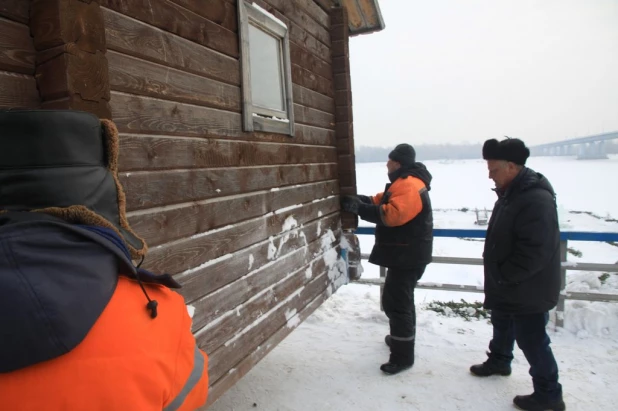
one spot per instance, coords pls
(521, 256)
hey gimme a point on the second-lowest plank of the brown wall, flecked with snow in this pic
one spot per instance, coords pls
(228, 356)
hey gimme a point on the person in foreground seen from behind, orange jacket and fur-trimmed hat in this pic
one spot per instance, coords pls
(81, 327)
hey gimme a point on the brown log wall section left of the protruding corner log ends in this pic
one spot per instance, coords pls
(17, 57)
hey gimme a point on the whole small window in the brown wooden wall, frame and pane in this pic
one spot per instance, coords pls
(266, 71)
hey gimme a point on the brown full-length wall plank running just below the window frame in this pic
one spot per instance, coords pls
(138, 152)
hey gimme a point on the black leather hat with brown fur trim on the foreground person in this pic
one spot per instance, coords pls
(64, 163)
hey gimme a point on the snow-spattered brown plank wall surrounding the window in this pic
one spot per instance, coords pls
(248, 222)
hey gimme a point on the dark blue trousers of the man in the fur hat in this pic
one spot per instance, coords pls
(529, 332)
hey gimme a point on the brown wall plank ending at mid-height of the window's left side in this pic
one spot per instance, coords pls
(138, 39)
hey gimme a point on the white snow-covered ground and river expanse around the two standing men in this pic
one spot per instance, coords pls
(331, 362)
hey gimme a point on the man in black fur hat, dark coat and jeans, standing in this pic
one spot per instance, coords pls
(522, 272)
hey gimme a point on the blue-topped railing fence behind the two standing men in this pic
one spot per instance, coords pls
(565, 237)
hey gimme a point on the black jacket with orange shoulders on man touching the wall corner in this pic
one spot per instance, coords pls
(403, 218)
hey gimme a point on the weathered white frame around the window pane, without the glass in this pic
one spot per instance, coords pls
(256, 118)
